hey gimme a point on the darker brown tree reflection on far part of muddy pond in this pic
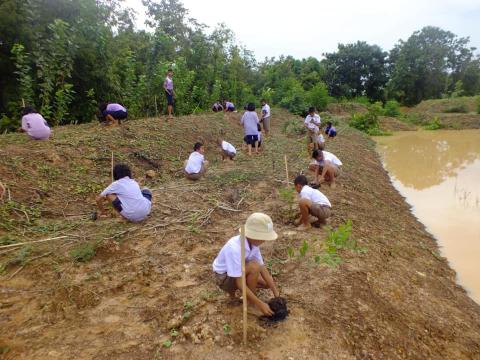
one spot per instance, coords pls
(433, 156)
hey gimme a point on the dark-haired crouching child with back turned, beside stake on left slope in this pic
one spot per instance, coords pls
(125, 196)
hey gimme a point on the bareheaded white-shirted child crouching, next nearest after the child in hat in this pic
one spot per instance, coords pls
(311, 202)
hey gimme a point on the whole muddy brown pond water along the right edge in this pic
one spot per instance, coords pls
(439, 174)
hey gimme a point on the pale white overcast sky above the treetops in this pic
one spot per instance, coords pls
(305, 28)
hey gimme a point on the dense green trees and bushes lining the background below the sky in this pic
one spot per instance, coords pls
(65, 56)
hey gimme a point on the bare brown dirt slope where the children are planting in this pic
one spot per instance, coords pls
(148, 291)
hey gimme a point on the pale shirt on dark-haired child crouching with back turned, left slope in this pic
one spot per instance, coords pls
(135, 207)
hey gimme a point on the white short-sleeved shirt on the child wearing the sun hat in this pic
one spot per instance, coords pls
(229, 259)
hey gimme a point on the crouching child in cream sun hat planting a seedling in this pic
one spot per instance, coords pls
(227, 266)
